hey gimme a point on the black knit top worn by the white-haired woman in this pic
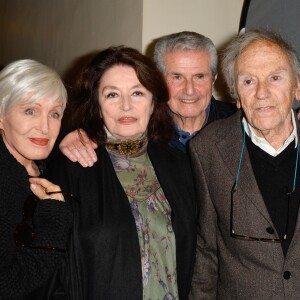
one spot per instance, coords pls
(22, 270)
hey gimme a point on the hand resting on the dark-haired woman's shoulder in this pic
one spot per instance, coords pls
(79, 148)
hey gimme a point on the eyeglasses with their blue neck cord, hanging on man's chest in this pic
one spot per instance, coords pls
(233, 191)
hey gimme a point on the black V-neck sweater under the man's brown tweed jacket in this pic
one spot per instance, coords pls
(275, 177)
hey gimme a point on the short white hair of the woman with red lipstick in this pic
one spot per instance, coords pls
(28, 81)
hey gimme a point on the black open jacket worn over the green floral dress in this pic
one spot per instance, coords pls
(104, 258)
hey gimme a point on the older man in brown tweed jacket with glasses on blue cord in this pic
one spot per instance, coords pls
(247, 172)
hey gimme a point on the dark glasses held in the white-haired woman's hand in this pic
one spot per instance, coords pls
(24, 233)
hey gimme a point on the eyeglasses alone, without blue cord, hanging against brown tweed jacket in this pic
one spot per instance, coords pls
(252, 238)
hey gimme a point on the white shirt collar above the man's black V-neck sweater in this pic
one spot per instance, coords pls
(266, 146)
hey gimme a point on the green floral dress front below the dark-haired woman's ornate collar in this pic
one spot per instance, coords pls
(152, 214)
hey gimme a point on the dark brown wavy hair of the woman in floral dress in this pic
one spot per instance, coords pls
(85, 106)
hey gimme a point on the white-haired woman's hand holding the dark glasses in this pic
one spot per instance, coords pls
(41, 187)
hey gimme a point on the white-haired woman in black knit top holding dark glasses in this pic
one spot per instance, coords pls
(33, 227)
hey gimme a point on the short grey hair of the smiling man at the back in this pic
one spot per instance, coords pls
(187, 41)
